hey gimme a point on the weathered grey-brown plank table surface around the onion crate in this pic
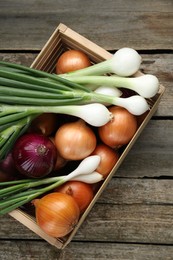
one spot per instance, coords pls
(133, 219)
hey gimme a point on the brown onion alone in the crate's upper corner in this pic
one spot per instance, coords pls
(72, 60)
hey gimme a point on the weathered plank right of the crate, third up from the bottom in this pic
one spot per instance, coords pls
(138, 191)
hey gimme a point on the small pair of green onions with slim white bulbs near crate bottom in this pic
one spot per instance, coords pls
(14, 194)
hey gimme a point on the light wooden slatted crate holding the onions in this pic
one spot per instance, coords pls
(62, 39)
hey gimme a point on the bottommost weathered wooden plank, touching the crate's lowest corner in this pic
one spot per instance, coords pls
(16, 249)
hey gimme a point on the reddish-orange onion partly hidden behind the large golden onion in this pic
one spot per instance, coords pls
(80, 191)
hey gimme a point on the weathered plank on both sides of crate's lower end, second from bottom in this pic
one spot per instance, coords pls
(136, 223)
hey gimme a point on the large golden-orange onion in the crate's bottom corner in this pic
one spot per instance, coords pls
(56, 214)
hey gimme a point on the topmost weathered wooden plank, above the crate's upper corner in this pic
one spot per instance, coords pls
(27, 25)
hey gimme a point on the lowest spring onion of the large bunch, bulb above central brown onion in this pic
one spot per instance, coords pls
(15, 124)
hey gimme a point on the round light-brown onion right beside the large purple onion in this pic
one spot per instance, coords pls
(75, 140)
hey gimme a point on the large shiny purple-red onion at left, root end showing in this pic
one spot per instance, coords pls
(34, 155)
